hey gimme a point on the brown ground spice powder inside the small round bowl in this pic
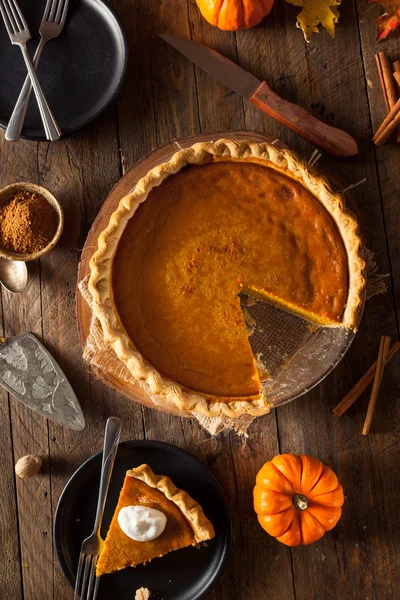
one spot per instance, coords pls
(27, 223)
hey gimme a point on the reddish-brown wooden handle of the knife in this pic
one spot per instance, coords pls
(335, 141)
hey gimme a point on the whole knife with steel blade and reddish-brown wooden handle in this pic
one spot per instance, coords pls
(335, 141)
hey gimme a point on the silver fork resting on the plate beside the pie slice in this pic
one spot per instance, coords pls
(86, 582)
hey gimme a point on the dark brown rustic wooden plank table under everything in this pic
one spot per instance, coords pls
(166, 97)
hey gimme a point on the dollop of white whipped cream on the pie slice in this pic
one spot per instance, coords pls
(141, 523)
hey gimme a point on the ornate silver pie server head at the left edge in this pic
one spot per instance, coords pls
(30, 374)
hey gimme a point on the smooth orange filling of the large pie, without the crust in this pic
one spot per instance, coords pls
(202, 236)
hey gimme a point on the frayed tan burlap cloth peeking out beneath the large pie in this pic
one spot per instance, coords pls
(100, 354)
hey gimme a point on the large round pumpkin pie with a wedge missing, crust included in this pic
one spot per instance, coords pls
(216, 220)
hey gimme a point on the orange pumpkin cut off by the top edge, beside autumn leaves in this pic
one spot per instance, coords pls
(231, 15)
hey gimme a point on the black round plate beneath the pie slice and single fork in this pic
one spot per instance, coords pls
(187, 574)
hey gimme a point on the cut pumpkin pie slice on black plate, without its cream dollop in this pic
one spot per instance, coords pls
(186, 523)
